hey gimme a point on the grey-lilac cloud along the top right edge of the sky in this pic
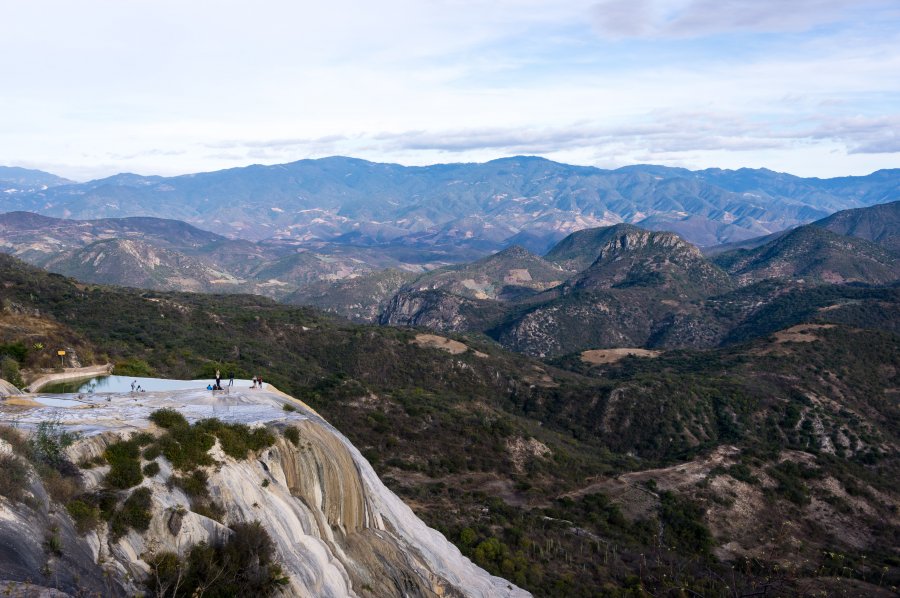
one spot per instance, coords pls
(697, 18)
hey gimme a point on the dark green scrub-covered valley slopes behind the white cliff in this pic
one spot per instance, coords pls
(557, 475)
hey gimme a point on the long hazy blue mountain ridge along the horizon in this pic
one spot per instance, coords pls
(480, 206)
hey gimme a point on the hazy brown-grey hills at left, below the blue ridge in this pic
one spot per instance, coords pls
(160, 254)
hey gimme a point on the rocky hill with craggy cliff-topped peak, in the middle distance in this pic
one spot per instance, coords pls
(622, 286)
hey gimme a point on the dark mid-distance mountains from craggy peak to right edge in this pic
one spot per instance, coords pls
(622, 286)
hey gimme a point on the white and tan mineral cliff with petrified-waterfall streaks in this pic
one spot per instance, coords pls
(338, 530)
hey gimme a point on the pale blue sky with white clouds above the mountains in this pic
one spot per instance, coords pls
(96, 87)
